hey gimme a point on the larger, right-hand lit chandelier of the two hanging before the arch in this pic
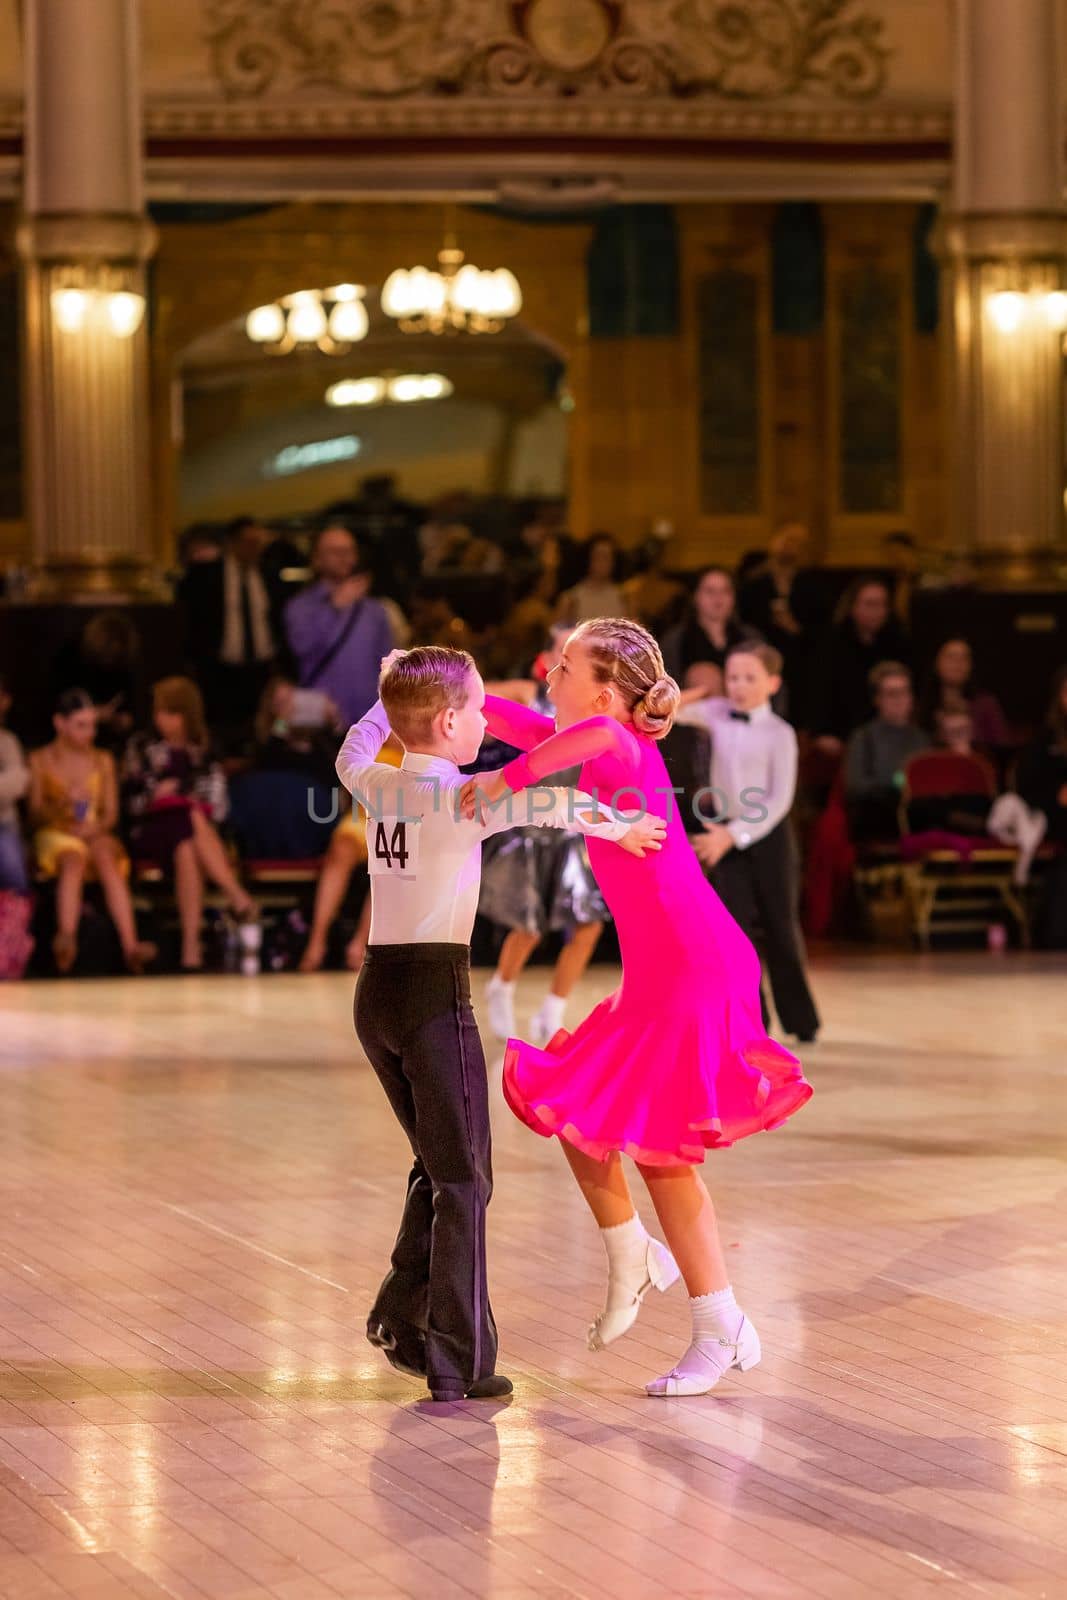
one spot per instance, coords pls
(455, 298)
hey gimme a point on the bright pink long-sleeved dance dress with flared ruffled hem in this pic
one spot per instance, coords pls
(677, 1060)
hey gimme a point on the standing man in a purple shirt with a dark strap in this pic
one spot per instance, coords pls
(337, 633)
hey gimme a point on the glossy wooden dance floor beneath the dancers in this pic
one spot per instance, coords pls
(201, 1183)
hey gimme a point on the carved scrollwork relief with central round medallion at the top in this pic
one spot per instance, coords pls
(733, 50)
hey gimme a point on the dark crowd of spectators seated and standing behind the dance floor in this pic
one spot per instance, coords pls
(190, 761)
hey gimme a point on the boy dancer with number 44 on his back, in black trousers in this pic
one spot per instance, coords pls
(414, 1002)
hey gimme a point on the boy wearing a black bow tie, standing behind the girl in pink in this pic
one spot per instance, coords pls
(749, 849)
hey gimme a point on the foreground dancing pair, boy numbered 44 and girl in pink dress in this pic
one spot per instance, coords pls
(676, 1062)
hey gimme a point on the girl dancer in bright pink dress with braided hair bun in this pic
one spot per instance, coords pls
(676, 1062)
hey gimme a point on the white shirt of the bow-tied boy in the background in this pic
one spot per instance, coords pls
(754, 766)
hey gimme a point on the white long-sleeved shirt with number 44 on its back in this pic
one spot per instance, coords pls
(423, 855)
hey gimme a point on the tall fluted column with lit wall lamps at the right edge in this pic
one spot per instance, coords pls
(1005, 241)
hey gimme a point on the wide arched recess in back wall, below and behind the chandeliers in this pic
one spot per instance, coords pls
(284, 436)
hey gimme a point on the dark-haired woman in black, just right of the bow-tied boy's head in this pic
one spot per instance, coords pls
(865, 634)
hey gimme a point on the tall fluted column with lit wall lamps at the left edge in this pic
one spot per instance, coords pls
(84, 244)
